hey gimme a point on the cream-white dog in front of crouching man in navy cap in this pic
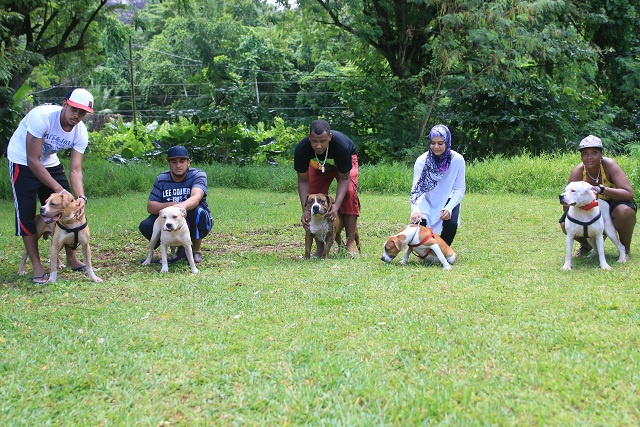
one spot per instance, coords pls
(172, 230)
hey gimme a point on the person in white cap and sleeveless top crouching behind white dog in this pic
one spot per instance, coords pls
(611, 184)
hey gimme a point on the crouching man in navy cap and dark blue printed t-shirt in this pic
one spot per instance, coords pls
(183, 187)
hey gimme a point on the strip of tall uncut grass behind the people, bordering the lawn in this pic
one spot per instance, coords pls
(543, 176)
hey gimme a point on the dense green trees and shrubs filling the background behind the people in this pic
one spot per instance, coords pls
(227, 77)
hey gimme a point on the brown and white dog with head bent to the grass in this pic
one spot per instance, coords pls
(423, 242)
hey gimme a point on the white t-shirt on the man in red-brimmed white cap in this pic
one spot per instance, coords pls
(44, 122)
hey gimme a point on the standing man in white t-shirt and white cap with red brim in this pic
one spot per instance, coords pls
(35, 169)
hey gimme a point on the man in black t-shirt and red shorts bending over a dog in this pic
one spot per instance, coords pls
(321, 157)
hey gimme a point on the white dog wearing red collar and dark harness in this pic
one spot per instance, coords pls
(589, 218)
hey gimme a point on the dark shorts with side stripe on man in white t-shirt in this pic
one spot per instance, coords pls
(26, 188)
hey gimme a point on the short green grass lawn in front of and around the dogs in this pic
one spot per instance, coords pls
(264, 337)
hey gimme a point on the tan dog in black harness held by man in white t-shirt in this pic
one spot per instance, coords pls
(70, 231)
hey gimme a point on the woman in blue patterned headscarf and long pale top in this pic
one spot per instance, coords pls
(438, 186)
